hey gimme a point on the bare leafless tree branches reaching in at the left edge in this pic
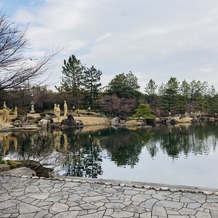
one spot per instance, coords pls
(15, 69)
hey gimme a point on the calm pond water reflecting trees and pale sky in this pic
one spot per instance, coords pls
(178, 155)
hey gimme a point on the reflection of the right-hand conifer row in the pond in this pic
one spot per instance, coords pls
(196, 139)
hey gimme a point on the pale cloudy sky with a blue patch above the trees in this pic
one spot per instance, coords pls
(153, 39)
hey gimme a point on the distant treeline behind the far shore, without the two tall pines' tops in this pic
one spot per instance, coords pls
(121, 97)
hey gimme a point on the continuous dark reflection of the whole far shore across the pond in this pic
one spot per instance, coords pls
(82, 154)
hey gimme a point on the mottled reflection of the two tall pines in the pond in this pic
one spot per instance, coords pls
(83, 157)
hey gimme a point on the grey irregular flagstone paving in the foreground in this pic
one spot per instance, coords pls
(22, 197)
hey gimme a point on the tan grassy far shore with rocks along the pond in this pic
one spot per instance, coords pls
(92, 122)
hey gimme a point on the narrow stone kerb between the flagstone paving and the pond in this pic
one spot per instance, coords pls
(124, 183)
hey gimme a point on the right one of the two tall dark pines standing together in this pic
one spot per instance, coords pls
(91, 83)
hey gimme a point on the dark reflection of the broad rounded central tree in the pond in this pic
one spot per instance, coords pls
(125, 145)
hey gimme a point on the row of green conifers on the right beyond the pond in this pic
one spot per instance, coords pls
(178, 97)
